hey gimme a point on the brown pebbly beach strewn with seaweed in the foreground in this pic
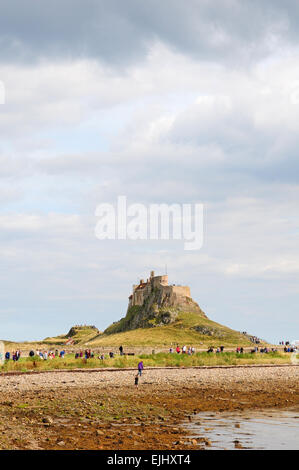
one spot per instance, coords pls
(104, 410)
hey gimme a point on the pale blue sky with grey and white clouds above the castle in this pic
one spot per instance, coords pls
(163, 102)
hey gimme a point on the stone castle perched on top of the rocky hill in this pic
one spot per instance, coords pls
(174, 294)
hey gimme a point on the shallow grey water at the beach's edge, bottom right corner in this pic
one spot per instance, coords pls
(268, 429)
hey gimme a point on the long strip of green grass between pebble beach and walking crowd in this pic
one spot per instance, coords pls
(150, 360)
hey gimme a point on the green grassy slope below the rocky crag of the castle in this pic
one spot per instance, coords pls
(189, 328)
